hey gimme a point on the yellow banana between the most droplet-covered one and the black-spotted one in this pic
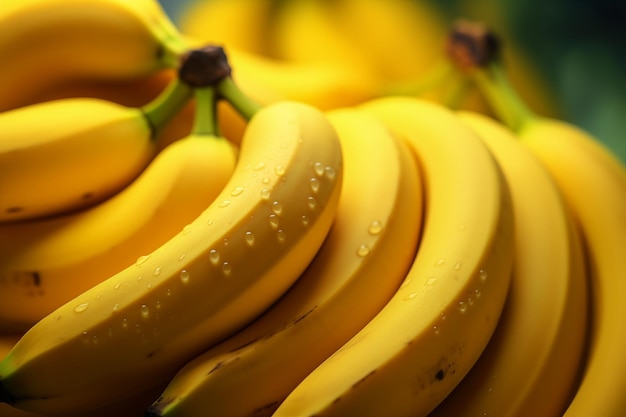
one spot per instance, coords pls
(374, 235)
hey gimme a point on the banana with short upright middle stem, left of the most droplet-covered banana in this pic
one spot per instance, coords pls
(45, 263)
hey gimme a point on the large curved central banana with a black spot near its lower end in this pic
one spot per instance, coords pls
(427, 337)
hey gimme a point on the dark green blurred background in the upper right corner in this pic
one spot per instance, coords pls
(578, 46)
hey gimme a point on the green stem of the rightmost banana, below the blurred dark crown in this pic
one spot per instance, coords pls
(501, 96)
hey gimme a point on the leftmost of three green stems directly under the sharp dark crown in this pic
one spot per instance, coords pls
(166, 105)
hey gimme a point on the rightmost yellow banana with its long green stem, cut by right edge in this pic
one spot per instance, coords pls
(593, 183)
